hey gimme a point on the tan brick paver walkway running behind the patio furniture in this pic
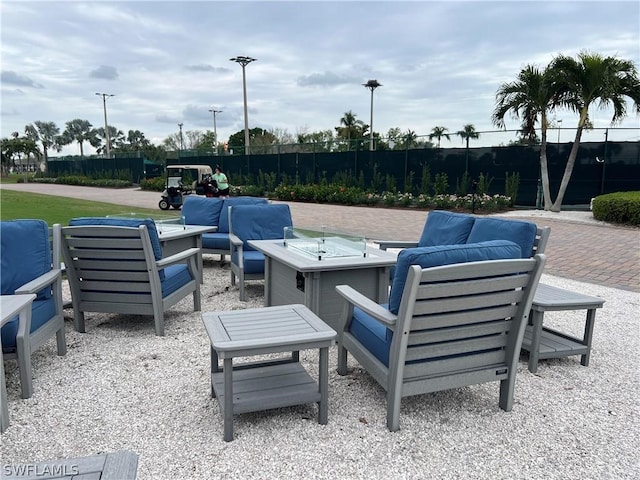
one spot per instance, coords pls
(594, 253)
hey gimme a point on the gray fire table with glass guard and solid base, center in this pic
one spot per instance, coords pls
(292, 277)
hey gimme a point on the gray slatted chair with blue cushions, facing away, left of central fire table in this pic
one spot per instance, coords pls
(120, 269)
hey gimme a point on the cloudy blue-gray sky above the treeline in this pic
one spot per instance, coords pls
(439, 62)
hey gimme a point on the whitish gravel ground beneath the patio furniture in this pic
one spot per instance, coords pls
(122, 387)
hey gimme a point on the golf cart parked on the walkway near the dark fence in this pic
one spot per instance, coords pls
(183, 180)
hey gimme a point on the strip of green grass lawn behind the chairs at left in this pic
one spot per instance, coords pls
(58, 209)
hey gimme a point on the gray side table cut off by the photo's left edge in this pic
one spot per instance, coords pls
(10, 306)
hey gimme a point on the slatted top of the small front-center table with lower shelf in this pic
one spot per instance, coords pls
(267, 328)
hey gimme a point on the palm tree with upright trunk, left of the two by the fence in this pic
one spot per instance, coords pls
(530, 97)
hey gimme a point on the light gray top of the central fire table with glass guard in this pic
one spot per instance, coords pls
(304, 263)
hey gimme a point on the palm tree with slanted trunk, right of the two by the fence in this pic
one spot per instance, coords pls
(589, 79)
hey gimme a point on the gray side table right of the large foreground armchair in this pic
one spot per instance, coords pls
(542, 342)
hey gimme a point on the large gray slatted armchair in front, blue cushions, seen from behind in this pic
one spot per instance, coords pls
(445, 326)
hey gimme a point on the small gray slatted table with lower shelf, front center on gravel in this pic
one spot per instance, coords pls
(273, 383)
